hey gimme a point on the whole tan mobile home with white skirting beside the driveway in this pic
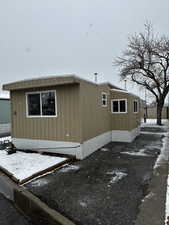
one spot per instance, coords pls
(70, 115)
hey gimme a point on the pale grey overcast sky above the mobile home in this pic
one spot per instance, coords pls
(52, 37)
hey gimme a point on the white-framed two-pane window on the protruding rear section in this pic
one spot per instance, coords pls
(119, 106)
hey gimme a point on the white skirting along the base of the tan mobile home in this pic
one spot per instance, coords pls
(80, 150)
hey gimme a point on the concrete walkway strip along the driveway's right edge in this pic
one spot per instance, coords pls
(153, 208)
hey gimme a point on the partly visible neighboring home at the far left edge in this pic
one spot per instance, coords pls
(5, 114)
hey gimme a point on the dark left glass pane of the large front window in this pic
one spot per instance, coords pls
(33, 104)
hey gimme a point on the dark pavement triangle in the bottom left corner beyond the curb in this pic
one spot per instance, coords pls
(9, 214)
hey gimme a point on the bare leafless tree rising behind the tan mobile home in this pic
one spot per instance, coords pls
(146, 62)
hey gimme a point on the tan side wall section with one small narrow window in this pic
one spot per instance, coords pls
(96, 119)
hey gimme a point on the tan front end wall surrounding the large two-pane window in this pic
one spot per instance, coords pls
(65, 127)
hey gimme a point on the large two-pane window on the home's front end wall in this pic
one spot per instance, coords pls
(41, 104)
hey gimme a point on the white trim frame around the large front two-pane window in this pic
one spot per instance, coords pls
(40, 116)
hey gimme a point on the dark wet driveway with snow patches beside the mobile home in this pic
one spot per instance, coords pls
(106, 188)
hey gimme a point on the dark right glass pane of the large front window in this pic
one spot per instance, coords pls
(48, 103)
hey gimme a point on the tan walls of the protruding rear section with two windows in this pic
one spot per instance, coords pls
(125, 121)
